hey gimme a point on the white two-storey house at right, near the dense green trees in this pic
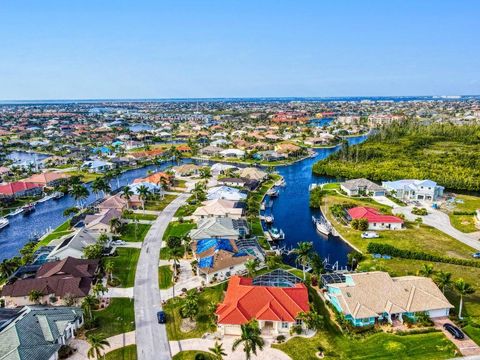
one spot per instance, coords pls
(414, 190)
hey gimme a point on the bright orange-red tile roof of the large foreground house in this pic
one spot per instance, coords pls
(245, 301)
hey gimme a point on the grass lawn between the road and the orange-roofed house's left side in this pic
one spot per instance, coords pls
(174, 320)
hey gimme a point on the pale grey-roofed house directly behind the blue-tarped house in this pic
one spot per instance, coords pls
(220, 228)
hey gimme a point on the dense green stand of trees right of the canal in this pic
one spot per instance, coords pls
(445, 153)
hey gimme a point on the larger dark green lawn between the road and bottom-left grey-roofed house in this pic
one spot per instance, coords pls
(117, 318)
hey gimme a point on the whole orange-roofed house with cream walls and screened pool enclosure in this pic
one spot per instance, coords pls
(275, 305)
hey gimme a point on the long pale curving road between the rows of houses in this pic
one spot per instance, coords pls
(151, 337)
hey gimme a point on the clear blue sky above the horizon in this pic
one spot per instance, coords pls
(91, 49)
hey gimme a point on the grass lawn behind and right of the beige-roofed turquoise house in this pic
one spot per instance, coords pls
(402, 267)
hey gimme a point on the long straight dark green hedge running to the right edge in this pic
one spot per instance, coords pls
(385, 249)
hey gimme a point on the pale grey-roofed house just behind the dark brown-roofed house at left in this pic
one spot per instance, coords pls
(72, 245)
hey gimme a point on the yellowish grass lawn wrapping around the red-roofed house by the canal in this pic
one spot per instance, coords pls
(419, 238)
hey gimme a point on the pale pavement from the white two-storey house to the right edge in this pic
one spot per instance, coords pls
(441, 221)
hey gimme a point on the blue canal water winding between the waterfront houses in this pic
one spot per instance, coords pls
(291, 211)
